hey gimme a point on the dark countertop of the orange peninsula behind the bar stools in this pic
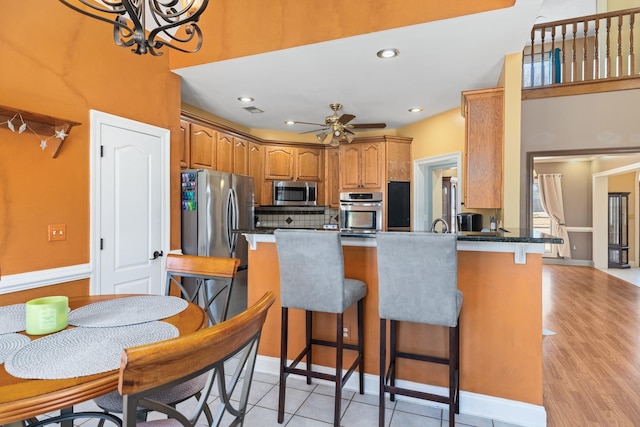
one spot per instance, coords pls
(521, 235)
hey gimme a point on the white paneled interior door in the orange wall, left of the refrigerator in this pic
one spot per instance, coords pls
(131, 225)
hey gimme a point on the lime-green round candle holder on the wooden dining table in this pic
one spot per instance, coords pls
(47, 315)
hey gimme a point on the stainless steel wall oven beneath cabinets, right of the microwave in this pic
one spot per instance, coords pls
(361, 212)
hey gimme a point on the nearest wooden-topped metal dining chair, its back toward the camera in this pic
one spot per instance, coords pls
(150, 369)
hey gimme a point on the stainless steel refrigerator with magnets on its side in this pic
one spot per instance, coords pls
(213, 205)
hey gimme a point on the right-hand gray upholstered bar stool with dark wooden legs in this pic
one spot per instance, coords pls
(418, 282)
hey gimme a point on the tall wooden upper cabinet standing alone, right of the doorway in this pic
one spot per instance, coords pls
(484, 128)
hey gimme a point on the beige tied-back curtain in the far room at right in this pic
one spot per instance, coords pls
(551, 198)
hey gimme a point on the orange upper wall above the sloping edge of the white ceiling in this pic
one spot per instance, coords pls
(235, 28)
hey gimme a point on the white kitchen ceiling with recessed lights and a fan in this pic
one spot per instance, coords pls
(437, 61)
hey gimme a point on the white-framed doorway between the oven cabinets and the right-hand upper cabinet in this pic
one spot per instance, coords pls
(428, 195)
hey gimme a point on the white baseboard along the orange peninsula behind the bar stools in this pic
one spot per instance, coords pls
(480, 405)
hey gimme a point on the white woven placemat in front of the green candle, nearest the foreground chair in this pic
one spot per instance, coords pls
(83, 351)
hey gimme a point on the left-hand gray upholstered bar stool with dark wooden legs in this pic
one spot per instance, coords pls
(312, 279)
